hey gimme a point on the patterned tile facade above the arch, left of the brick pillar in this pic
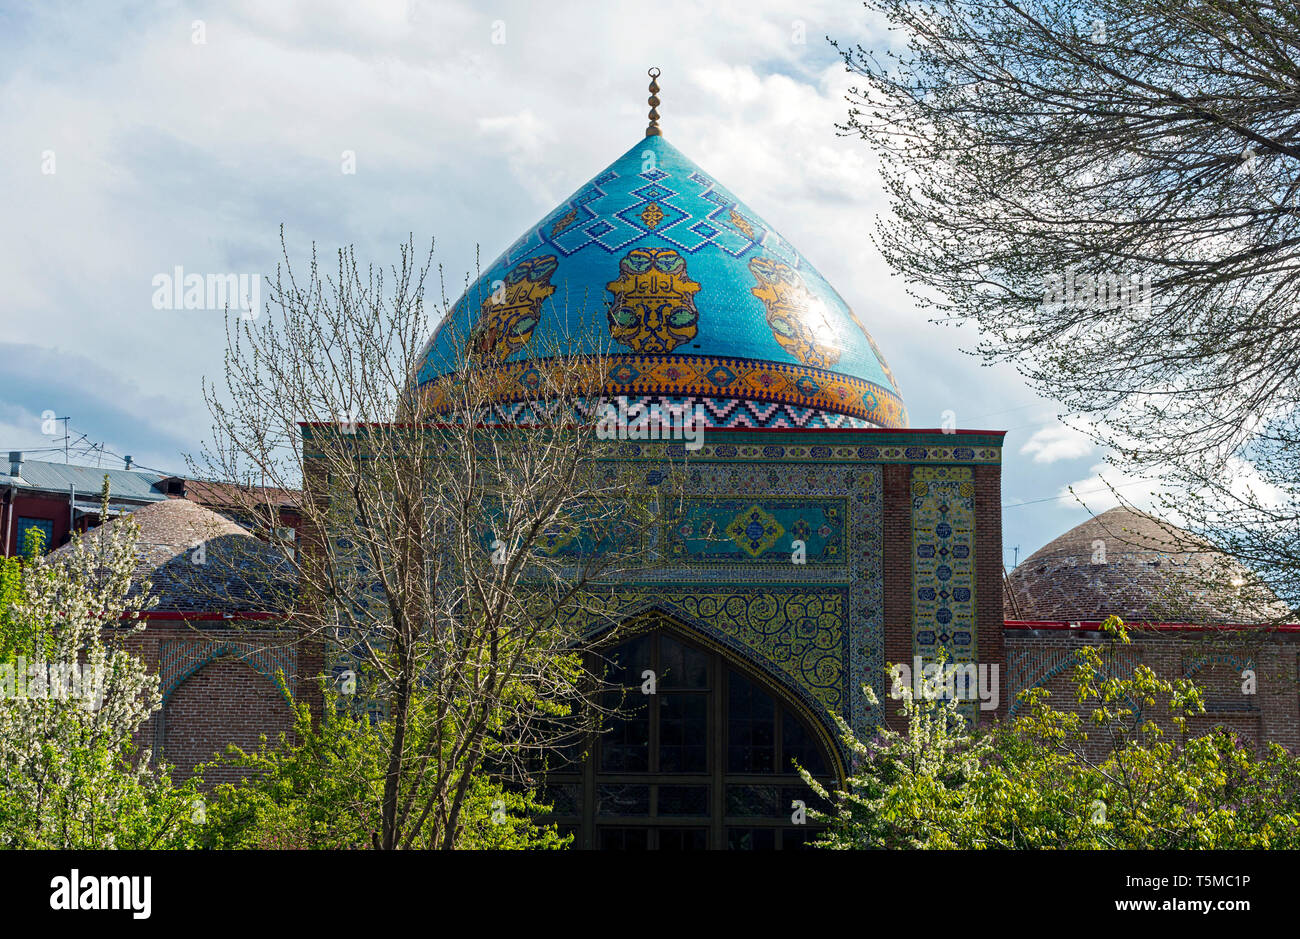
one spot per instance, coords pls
(818, 626)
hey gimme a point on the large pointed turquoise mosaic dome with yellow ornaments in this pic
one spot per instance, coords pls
(696, 300)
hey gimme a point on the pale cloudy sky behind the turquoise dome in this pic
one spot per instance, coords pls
(145, 137)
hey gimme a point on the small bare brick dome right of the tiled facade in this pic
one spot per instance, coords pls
(1137, 568)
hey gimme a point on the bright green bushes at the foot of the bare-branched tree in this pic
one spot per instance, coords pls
(323, 787)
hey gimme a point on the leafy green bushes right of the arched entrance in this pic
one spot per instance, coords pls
(1104, 777)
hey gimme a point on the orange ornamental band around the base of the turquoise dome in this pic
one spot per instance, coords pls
(697, 377)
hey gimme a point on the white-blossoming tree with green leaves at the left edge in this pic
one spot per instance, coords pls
(73, 699)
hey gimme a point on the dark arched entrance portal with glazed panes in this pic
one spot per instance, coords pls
(703, 763)
